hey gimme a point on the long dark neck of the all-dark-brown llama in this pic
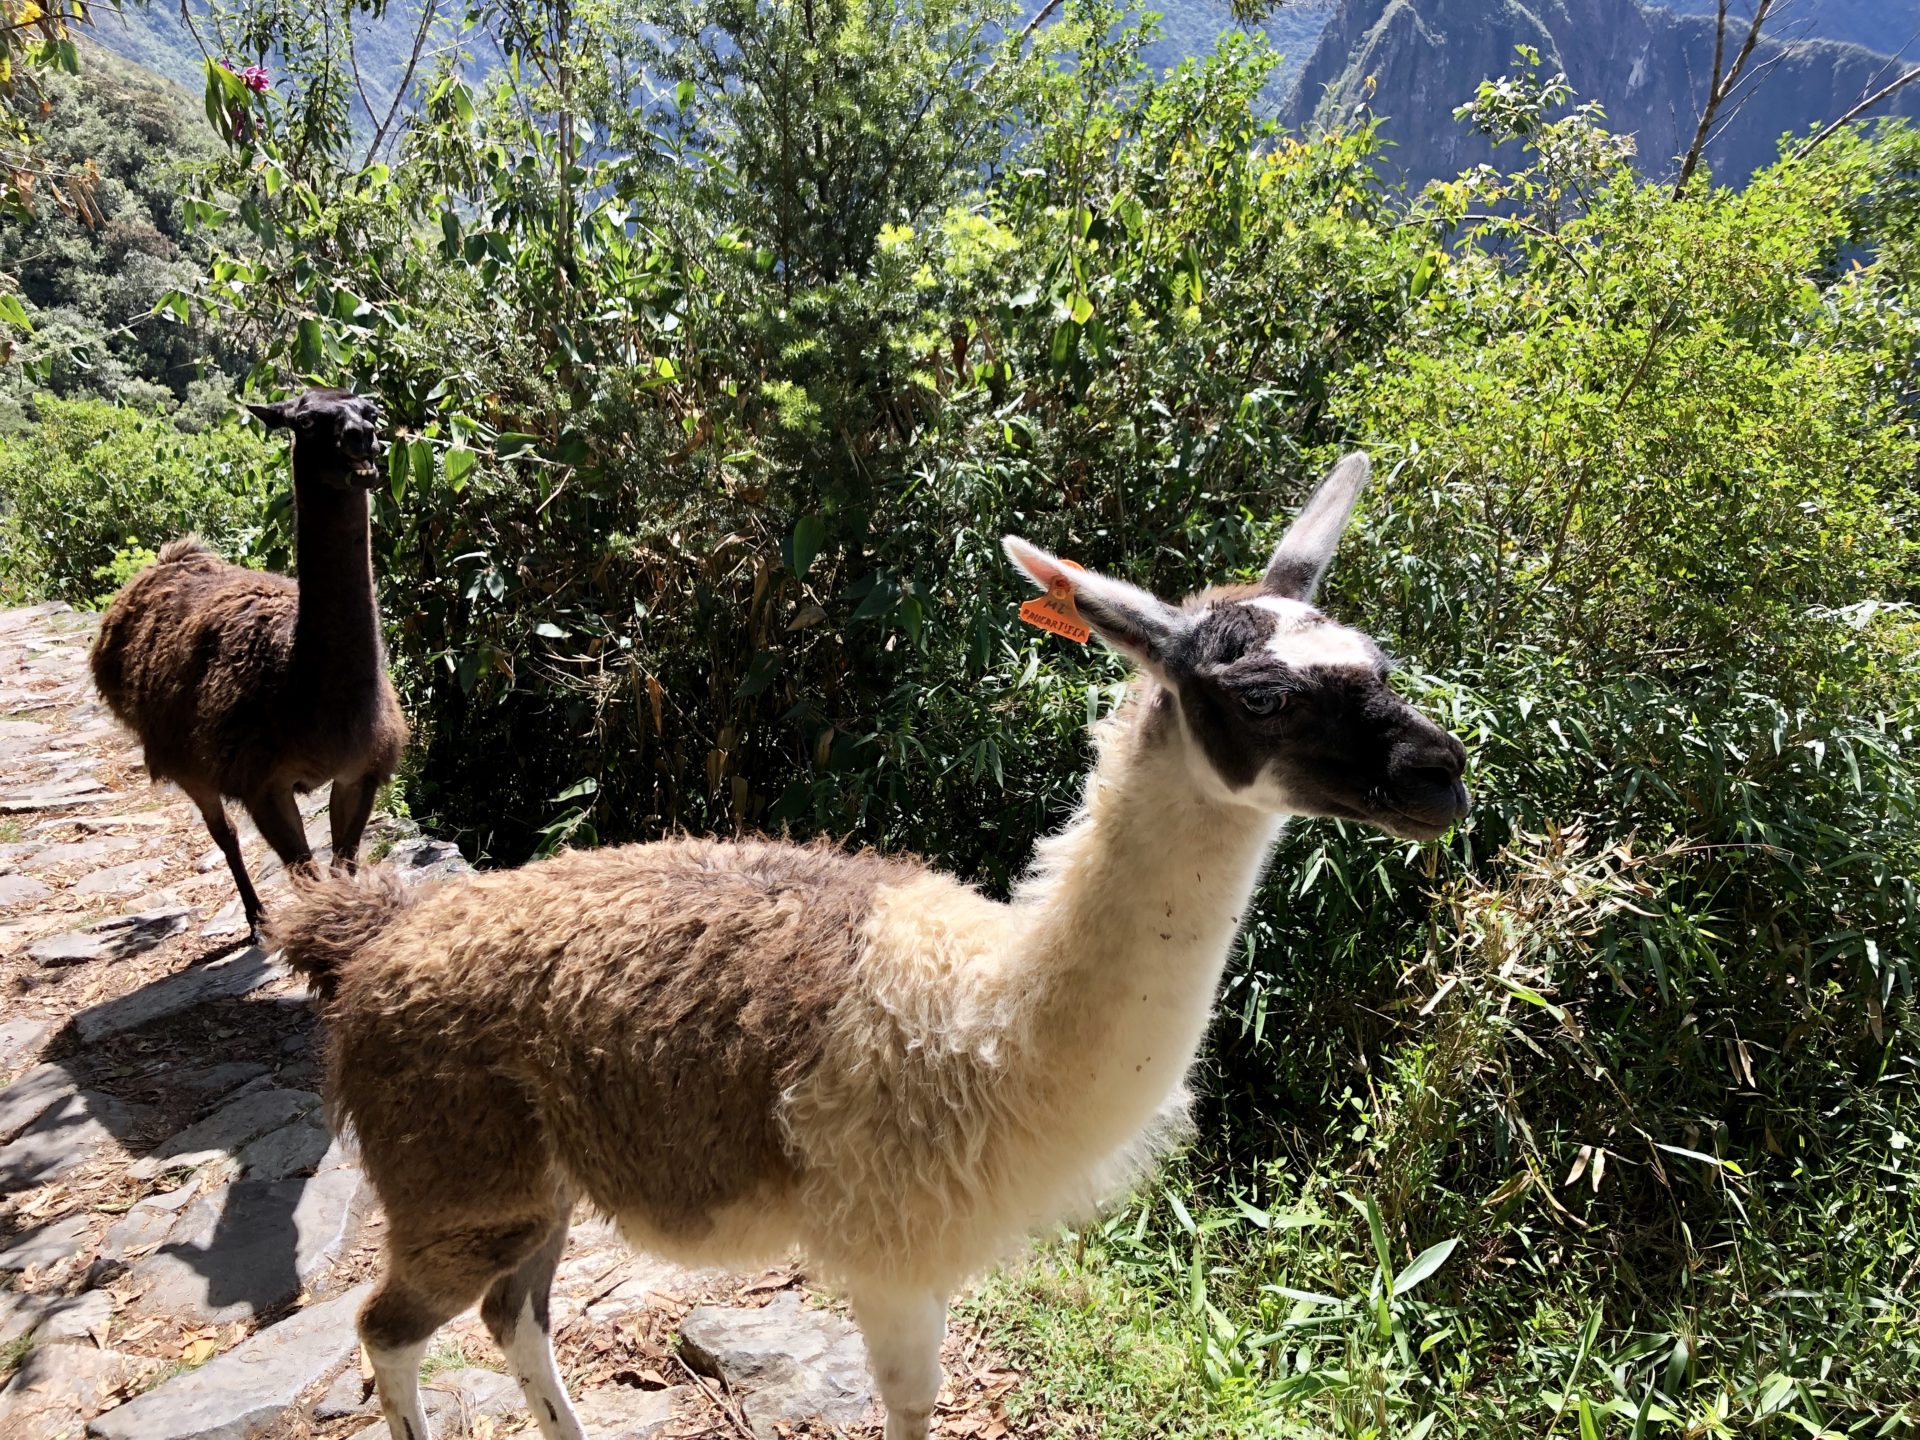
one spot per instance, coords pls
(339, 629)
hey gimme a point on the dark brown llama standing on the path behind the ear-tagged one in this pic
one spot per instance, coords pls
(252, 684)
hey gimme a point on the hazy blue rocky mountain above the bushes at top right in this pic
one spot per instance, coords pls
(1650, 68)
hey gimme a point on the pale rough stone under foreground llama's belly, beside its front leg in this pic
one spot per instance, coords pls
(790, 1362)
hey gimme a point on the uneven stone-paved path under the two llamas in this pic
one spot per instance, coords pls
(183, 1241)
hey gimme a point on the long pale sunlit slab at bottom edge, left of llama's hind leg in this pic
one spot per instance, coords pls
(245, 1391)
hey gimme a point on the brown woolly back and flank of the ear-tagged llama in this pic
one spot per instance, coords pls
(633, 1013)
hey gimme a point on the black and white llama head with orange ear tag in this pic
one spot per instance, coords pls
(1278, 706)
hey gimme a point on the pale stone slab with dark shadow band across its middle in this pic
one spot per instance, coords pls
(249, 1247)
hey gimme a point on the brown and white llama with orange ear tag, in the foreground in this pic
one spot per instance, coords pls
(742, 1047)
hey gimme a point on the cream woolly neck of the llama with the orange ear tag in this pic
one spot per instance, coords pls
(1126, 926)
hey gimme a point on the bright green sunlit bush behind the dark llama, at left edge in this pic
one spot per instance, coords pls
(93, 491)
